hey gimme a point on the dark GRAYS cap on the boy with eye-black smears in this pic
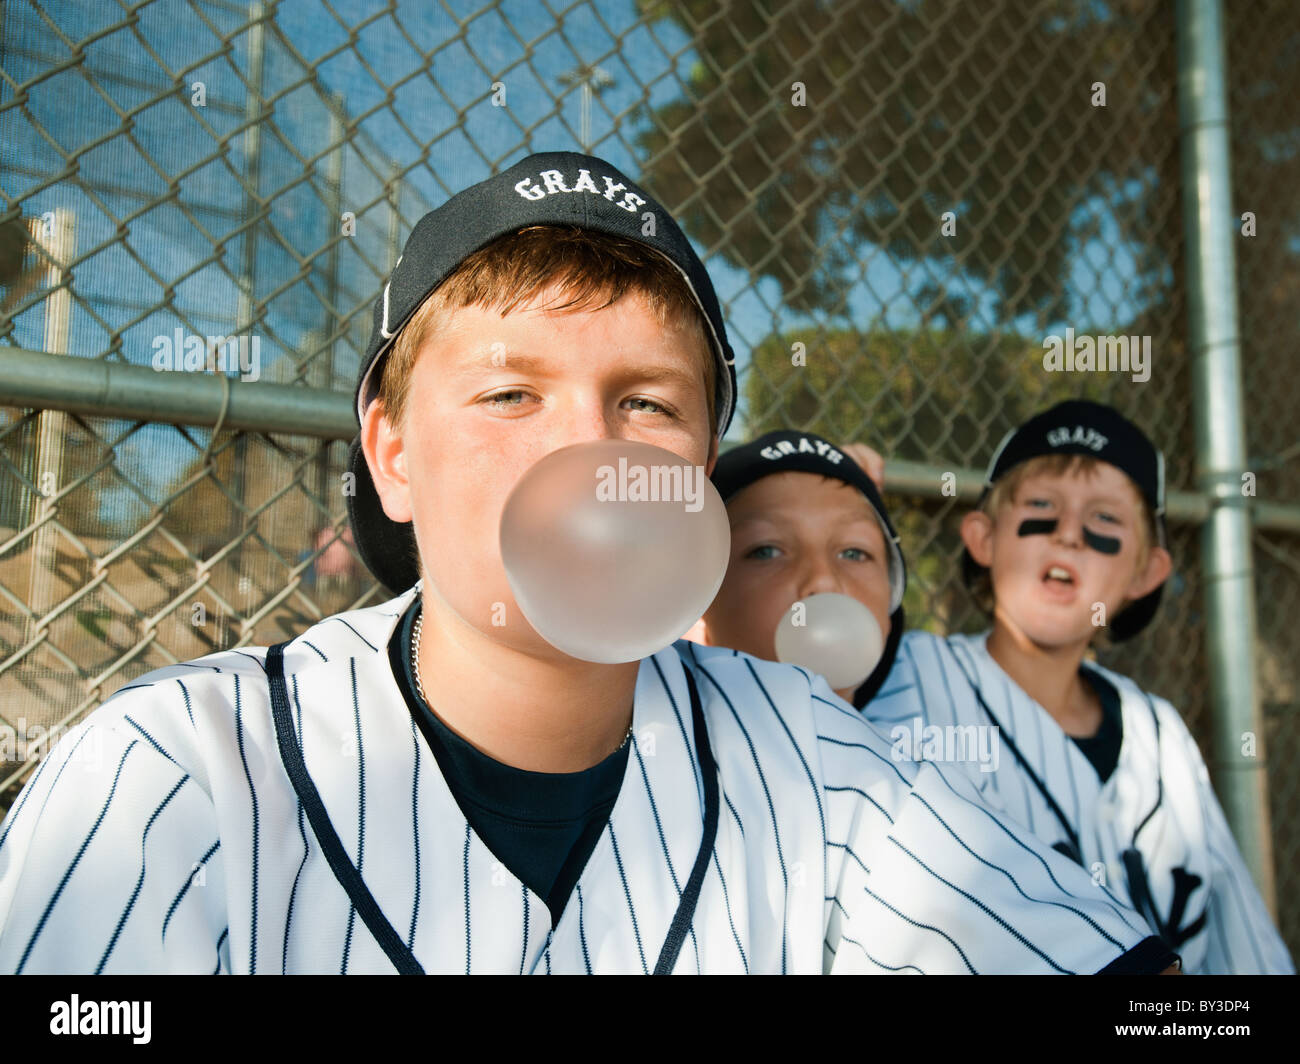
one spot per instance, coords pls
(1095, 431)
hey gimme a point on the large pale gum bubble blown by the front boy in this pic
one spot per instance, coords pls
(614, 548)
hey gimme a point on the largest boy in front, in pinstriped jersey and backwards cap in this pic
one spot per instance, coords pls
(430, 786)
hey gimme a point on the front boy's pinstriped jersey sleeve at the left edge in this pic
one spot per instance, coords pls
(111, 859)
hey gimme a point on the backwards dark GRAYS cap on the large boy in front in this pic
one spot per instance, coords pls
(562, 189)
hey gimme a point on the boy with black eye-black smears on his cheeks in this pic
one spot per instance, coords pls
(1071, 534)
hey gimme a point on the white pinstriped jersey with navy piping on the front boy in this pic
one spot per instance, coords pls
(163, 836)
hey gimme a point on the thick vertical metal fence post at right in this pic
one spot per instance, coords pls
(1219, 412)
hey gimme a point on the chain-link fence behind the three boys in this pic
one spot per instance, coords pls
(917, 193)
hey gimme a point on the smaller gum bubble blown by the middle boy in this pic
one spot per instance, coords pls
(838, 638)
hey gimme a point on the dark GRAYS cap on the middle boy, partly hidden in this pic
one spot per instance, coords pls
(790, 452)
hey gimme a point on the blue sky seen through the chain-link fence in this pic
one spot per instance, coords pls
(440, 128)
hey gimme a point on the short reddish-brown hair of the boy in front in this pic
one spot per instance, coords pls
(593, 270)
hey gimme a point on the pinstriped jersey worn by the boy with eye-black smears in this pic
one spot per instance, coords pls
(1158, 805)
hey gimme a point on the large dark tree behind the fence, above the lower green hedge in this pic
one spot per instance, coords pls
(912, 111)
